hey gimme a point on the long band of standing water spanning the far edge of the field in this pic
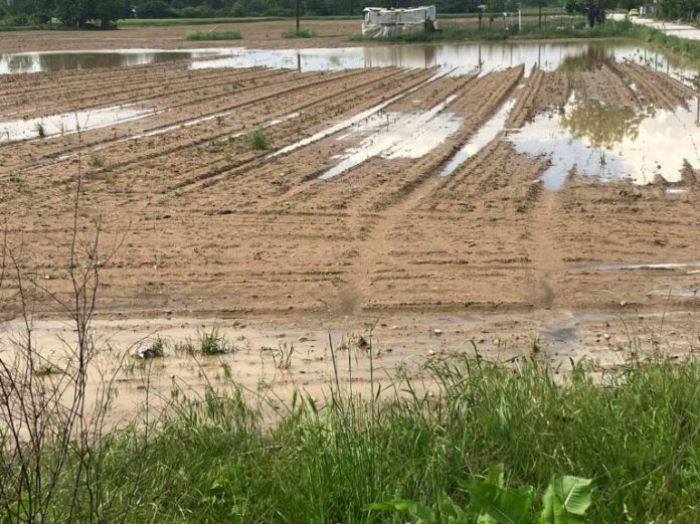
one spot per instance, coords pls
(461, 58)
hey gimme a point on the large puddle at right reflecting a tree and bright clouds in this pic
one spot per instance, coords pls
(612, 142)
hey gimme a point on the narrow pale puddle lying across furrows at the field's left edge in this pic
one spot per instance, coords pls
(68, 123)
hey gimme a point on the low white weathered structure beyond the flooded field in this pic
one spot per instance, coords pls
(380, 22)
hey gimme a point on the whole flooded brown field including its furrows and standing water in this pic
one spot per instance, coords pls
(540, 190)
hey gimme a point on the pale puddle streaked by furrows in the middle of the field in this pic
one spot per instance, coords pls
(398, 135)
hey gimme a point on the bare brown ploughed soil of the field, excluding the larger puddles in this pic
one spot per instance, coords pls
(199, 226)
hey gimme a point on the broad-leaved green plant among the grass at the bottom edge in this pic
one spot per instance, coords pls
(566, 500)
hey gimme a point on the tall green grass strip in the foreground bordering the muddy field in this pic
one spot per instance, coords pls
(635, 433)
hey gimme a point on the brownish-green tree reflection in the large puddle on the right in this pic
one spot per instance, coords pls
(603, 125)
